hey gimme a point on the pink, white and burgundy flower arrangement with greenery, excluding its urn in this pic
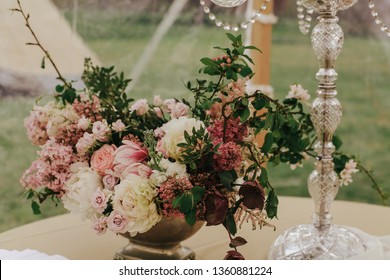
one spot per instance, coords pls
(126, 164)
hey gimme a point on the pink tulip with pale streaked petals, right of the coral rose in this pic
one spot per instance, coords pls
(130, 153)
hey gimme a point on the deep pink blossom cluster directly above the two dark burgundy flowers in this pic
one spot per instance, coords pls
(229, 157)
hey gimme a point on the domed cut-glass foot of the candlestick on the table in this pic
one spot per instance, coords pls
(306, 242)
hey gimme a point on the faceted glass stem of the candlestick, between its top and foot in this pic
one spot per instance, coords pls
(327, 40)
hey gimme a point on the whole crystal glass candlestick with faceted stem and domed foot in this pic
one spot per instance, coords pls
(322, 239)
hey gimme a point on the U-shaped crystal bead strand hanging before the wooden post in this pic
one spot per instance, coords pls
(235, 27)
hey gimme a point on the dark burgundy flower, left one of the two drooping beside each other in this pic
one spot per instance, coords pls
(216, 209)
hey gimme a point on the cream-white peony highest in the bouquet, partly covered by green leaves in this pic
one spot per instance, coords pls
(174, 134)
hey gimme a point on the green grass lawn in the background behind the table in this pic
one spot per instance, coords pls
(363, 87)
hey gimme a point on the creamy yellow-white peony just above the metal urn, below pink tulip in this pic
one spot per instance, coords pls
(134, 199)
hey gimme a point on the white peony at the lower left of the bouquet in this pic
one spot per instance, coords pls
(79, 190)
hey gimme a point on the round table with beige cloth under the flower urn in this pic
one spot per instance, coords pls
(66, 235)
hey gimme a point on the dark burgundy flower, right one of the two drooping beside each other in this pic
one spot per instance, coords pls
(253, 195)
